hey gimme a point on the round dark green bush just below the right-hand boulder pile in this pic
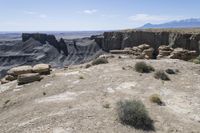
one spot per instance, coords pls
(142, 67)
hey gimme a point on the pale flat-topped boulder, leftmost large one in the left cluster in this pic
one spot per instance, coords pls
(20, 70)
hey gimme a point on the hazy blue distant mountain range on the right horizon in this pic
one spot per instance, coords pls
(187, 23)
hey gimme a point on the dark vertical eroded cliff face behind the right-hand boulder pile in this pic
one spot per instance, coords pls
(122, 39)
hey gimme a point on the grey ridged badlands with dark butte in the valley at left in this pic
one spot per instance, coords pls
(42, 48)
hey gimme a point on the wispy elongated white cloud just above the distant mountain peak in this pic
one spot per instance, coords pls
(146, 18)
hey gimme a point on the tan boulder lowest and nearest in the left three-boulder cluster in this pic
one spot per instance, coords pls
(28, 78)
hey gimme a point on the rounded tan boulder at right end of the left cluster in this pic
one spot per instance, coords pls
(42, 68)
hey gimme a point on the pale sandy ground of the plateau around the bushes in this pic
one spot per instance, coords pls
(65, 103)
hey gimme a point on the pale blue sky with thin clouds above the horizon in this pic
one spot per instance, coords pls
(87, 15)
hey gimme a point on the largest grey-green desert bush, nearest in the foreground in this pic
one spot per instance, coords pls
(134, 113)
